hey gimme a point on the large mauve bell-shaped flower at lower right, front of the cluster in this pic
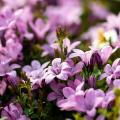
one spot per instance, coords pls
(89, 102)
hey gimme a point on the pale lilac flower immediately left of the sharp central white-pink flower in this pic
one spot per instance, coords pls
(35, 72)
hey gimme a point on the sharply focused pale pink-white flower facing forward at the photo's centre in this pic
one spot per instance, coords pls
(59, 69)
